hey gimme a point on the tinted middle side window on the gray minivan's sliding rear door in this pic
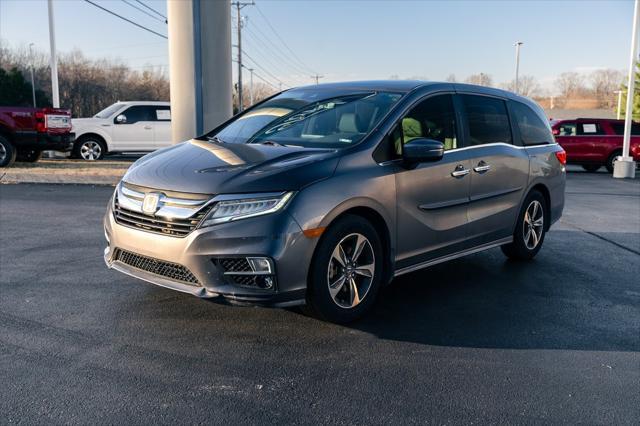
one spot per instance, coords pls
(487, 120)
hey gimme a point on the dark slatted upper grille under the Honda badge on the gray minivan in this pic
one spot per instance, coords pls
(171, 227)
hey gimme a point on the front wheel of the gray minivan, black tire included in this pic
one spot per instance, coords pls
(341, 304)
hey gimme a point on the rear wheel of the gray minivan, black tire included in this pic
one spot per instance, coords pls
(529, 234)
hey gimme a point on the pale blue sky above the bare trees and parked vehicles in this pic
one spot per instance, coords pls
(354, 40)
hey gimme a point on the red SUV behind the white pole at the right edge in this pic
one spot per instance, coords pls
(593, 143)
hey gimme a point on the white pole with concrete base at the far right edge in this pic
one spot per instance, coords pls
(625, 166)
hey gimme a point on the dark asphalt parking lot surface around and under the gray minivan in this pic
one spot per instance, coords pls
(479, 339)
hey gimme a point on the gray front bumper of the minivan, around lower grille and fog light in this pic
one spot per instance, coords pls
(276, 236)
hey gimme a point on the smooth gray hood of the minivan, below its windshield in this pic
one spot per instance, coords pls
(206, 167)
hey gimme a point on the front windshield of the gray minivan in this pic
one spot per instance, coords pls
(298, 118)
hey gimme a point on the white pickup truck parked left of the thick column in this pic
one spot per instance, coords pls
(135, 126)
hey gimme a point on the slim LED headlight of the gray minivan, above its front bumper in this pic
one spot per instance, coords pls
(242, 208)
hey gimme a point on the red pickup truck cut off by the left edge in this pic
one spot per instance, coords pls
(26, 132)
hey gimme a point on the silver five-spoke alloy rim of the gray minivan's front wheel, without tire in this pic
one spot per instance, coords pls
(351, 270)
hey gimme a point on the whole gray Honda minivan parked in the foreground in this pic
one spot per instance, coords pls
(320, 195)
